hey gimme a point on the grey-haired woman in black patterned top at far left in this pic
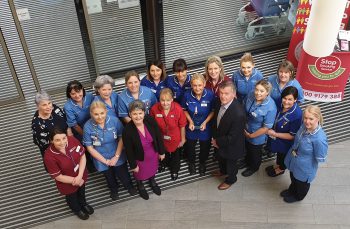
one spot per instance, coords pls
(45, 119)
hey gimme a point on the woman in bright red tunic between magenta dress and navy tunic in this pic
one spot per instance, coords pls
(171, 120)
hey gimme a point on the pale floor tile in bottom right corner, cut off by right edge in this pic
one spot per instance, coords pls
(332, 214)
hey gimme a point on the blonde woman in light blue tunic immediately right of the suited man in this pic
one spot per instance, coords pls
(261, 112)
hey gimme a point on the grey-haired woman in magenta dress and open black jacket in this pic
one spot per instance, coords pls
(144, 146)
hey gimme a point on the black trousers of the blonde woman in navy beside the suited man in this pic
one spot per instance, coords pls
(204, 148)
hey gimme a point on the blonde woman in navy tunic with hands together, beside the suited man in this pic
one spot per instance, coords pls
(199, 110)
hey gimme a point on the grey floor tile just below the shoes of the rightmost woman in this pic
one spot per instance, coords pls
(296, 213)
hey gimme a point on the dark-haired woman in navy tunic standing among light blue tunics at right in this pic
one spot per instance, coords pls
(287, 123)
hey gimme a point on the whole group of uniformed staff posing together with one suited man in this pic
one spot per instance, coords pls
(144, 128)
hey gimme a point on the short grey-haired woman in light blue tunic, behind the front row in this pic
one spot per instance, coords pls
(104, 92)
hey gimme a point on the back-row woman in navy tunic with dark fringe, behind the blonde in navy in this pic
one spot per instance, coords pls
(180, 80)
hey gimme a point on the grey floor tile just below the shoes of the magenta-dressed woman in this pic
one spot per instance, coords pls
(152, 209)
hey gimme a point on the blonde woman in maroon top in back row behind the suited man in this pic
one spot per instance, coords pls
(214, 74)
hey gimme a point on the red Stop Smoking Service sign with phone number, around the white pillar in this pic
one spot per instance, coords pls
(323, 79)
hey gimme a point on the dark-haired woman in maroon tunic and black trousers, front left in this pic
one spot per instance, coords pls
(66, 163)
